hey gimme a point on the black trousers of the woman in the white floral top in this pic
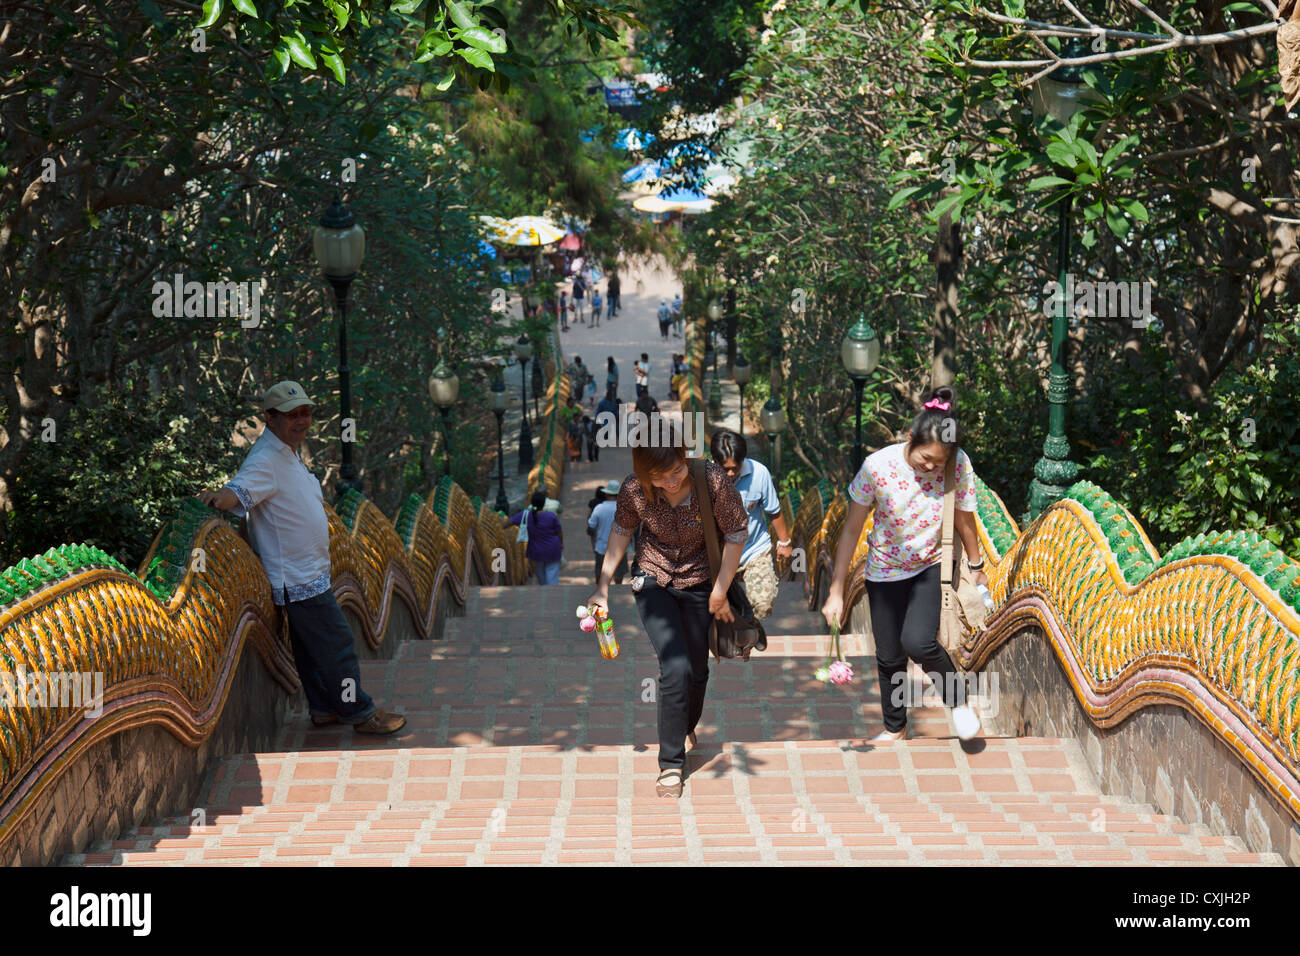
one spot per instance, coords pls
(905, 624)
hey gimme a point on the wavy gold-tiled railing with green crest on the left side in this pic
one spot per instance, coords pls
(164, 643)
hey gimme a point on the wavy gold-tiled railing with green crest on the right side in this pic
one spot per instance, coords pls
(1214, 626)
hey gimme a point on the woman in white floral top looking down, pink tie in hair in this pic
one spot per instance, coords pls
(905, 486)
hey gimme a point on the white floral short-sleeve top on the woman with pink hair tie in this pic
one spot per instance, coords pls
(908, 527)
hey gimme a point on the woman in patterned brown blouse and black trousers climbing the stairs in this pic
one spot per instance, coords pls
(671, 581)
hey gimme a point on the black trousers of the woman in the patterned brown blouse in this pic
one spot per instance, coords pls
(678, 624)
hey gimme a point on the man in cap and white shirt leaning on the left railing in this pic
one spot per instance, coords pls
(291, 534)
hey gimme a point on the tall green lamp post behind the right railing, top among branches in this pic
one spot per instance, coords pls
(1061, 96)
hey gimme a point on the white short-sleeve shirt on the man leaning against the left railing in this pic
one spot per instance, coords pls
(287, 518)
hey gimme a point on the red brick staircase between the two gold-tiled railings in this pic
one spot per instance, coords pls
(525, 747)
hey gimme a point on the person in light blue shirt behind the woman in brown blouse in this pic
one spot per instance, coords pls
(757, 490)
